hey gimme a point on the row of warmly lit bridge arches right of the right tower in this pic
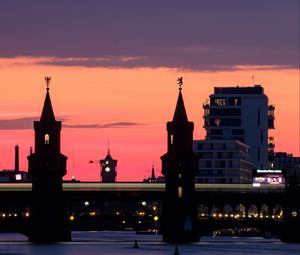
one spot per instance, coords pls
(240, 219)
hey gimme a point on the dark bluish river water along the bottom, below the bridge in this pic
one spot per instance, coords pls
(99, 243)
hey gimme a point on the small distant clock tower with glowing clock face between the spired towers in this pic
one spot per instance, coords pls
(108, 168)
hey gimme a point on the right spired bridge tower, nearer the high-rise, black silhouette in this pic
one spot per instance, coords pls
(179, 167)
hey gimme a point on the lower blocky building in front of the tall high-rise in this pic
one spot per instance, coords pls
(223, 161)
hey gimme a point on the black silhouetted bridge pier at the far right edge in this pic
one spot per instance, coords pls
(291, 216)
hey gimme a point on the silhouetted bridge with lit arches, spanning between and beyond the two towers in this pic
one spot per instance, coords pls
(220, 206)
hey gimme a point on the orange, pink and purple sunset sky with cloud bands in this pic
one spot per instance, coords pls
(114, 66)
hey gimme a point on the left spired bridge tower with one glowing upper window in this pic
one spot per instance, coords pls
(47, 166)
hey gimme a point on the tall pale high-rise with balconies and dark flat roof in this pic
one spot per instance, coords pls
(243, 114)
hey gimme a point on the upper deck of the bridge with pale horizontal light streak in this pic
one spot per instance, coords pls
(209, 194)
